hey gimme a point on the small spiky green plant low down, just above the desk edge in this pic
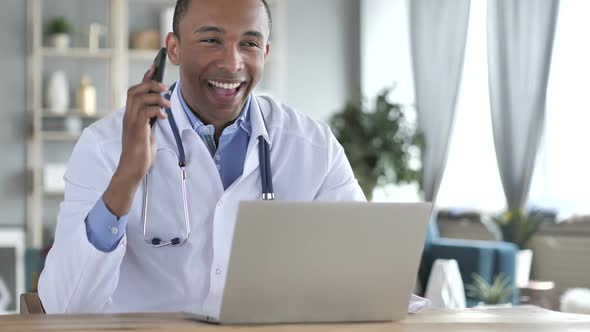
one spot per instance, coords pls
(498, 293)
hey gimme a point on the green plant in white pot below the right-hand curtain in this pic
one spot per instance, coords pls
(518, 227)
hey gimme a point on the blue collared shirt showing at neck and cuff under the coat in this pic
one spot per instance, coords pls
(104, 230)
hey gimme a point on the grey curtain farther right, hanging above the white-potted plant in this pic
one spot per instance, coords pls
(520, 43)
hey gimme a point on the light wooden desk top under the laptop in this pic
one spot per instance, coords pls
(520, 319)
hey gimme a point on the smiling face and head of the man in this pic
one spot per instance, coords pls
(221, 50)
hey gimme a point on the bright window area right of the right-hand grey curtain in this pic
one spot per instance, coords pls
(562, 176)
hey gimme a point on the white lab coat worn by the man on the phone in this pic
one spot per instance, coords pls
(307, 164)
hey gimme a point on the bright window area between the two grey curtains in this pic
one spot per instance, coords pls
(471, 178)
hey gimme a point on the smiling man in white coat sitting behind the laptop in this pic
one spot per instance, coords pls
(118, 249)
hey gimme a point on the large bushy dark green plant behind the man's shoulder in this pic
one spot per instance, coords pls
(380, 143)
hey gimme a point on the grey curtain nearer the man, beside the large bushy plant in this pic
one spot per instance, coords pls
(438, 30)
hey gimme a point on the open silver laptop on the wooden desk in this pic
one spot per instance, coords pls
(319, 262)
